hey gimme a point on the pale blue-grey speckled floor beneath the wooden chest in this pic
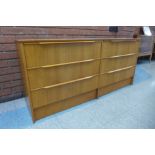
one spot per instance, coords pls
(129, 107)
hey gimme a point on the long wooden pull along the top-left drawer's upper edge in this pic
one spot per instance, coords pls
(65, 42)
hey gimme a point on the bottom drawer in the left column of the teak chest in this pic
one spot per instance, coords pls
(59, 92)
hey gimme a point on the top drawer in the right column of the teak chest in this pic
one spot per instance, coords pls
(118, 47)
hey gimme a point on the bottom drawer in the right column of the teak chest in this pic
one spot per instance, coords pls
(116, 76)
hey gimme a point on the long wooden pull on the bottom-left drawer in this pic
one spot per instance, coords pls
(64, 83)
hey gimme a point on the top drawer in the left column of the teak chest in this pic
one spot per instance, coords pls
(54, 53)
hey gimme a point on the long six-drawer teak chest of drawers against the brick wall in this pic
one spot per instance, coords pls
(59, 74)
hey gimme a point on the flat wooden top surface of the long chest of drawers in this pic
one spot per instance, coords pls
(77, 39)
